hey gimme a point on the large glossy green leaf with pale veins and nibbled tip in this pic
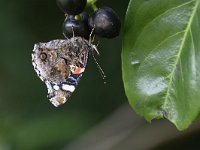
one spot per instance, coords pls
(161, 59)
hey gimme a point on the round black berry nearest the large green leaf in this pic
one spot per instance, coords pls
(105, 22)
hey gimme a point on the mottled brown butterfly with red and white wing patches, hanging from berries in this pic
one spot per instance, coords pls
(60, 65)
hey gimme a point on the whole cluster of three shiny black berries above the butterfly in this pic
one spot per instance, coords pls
(104, 21)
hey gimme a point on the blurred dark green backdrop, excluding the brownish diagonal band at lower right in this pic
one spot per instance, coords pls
(28, 121)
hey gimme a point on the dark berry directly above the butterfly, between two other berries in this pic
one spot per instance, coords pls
(79, 27)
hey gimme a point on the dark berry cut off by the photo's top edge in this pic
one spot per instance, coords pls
(72, 7)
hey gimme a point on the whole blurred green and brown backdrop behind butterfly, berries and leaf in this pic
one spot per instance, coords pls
(28, 121)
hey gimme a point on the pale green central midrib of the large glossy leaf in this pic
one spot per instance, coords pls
(179, 52)
